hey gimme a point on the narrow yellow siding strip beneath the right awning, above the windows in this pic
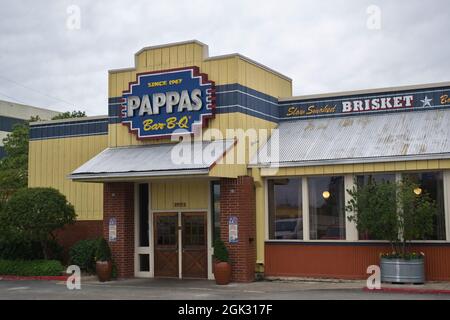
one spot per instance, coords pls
(394, 166)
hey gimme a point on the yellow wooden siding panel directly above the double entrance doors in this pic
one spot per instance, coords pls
(193, 192)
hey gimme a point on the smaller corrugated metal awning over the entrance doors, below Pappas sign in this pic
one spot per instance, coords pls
(189, 158)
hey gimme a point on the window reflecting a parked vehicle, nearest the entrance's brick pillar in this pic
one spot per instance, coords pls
(285, 209)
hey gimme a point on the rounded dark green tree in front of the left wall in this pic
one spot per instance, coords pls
(33, 214)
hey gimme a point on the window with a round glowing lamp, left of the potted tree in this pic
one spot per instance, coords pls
(326, 208)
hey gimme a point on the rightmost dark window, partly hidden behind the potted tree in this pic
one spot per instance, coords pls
(432, 183)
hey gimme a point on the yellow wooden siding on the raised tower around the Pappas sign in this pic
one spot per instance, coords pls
(221, 70)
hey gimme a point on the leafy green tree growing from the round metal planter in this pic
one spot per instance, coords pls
(398, 212)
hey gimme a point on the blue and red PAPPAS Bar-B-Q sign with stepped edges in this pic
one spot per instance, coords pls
(178, 101)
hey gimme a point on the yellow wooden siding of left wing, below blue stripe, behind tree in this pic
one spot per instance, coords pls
(52, 160)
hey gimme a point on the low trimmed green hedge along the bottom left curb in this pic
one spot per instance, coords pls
(31, 267)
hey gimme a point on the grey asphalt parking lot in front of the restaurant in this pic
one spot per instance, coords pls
(173, 289)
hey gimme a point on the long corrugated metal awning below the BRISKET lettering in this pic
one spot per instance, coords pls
(359, 139)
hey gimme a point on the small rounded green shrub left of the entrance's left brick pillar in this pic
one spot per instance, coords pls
(82, 254)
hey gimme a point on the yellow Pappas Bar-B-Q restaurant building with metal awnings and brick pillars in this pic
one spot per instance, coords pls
(197, 147)
